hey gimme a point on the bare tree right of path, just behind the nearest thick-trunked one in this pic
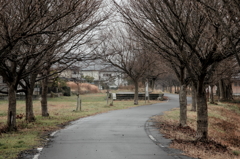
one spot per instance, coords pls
(141, 17)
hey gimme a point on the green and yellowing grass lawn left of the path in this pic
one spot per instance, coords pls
(30, 135)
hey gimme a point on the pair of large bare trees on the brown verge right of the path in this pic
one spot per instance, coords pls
(193, 36)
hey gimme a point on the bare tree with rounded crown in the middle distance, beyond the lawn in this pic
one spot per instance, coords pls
(125, 51)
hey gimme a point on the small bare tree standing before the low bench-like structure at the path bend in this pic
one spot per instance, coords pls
(126, 53)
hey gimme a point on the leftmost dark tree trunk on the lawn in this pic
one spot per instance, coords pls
(11, 120)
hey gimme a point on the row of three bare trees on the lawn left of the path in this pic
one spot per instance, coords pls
(38, 35)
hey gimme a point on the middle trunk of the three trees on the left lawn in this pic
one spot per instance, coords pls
(29, 106)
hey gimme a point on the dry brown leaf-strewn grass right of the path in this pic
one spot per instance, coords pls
(224, 132)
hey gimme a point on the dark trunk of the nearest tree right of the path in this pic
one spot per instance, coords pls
(202, 113)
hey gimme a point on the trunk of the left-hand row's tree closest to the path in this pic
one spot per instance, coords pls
(44, 97)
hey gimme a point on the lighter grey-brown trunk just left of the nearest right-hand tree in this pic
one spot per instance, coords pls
(183, 105)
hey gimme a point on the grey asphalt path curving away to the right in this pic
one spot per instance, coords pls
(120, 134)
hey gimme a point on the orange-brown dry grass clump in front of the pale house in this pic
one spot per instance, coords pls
(84, 87)
